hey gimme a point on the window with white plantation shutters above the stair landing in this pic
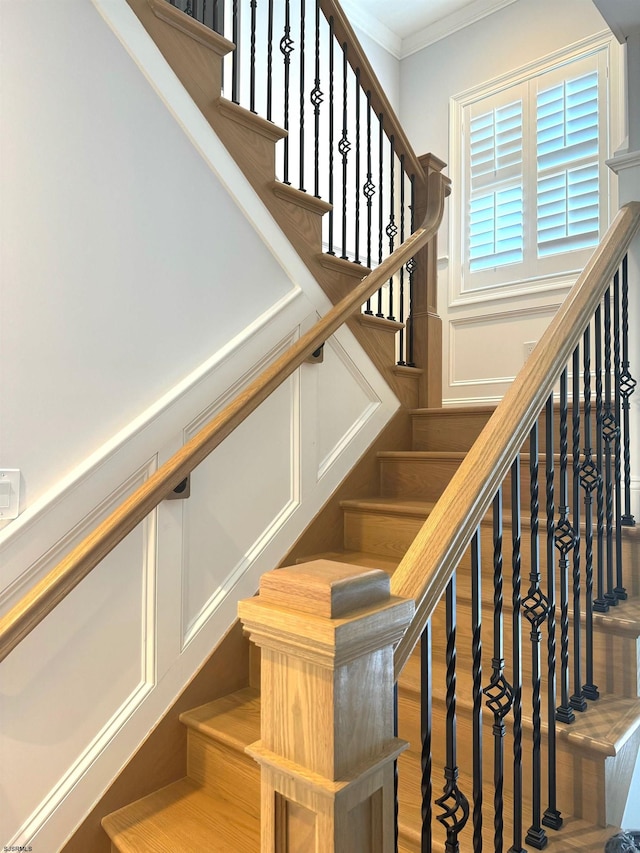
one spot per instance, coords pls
(533, 198)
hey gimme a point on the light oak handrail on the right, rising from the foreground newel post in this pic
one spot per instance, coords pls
(427, 566)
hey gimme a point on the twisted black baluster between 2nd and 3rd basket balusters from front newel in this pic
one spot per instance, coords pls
(516, 561)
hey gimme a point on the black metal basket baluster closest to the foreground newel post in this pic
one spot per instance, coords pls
(454, 804)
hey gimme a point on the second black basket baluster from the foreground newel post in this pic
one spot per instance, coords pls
(499, 692)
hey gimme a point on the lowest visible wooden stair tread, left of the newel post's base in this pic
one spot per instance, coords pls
(182, 818)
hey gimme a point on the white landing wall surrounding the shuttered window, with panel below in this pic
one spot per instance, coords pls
(503, 42)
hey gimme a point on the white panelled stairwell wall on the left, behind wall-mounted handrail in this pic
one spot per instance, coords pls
(143, 285)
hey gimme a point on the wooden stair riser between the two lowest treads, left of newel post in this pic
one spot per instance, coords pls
(227, 772)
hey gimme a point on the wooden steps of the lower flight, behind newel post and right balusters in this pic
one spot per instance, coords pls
(216, 806)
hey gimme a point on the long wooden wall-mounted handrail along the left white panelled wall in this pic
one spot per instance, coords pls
(59, 582)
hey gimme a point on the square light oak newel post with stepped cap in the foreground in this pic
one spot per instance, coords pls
(327, 632)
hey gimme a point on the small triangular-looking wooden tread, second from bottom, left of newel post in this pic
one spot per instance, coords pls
(233, 719)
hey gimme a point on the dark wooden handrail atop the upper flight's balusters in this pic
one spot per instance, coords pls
(357, 59)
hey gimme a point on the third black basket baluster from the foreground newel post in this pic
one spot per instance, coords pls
(535, 607)
